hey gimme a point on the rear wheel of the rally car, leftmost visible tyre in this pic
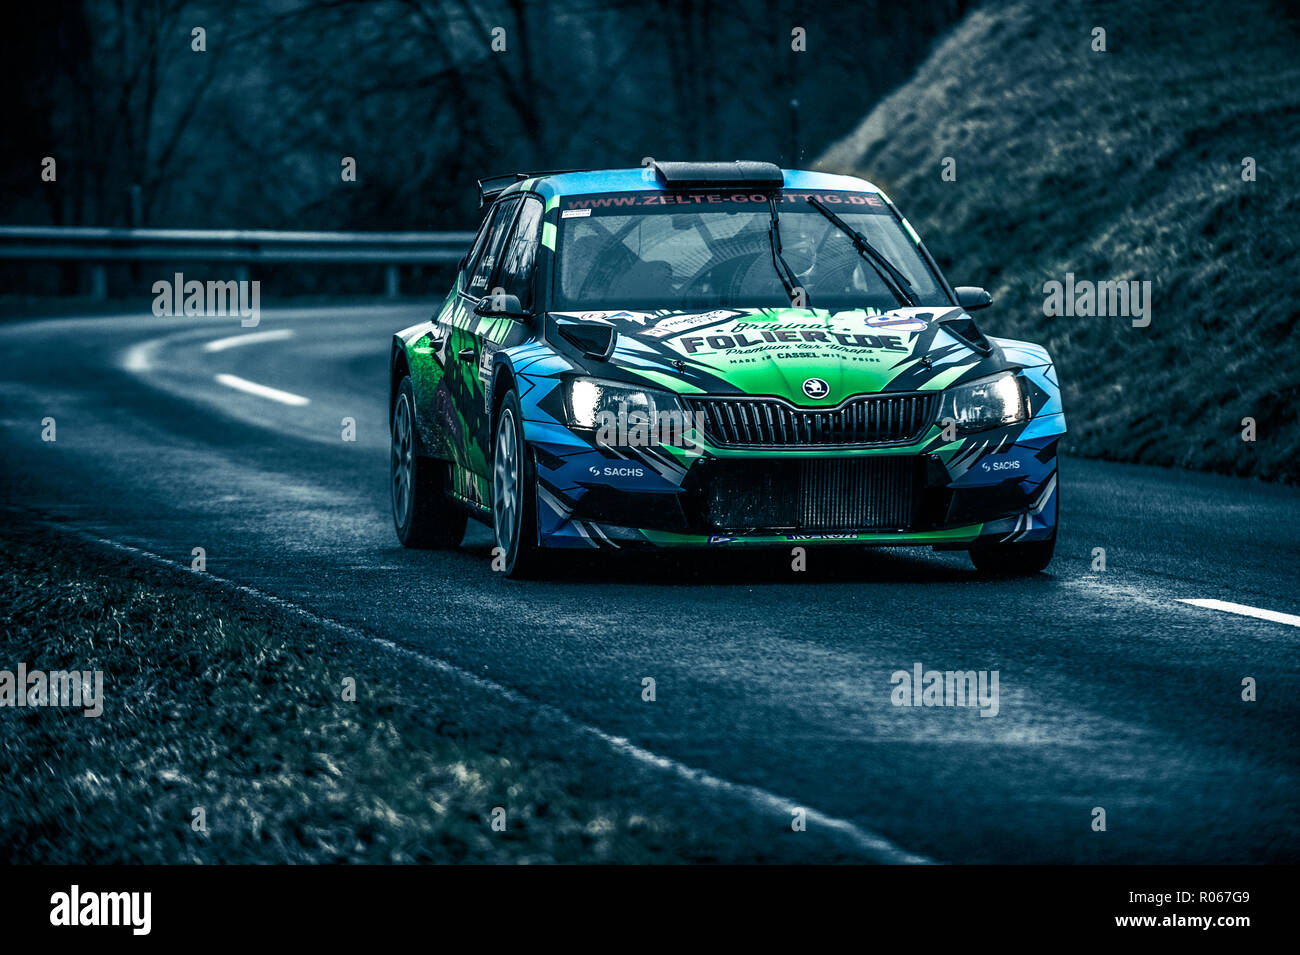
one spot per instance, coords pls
(423, 514)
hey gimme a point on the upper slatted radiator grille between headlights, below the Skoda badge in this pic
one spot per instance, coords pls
(770, 423)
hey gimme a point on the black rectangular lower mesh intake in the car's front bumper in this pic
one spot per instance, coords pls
(812, 496)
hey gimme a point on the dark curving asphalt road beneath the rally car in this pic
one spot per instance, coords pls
(1113, 692)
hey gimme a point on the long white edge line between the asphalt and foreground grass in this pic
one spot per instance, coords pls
(869, 843)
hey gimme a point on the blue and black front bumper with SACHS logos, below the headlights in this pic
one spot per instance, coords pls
(973, 490)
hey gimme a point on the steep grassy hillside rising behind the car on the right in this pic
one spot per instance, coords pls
(1120, 166)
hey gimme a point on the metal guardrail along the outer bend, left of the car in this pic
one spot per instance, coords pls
(101, 248)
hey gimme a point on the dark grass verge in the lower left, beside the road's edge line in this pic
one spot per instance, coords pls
(241, 713)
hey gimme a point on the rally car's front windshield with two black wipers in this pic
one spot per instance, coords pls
(697, 250)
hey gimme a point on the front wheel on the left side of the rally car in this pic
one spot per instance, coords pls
(514, 494)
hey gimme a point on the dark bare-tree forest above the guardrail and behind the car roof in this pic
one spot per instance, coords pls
(252, 133)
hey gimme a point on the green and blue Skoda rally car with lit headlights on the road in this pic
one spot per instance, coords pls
(717, 355)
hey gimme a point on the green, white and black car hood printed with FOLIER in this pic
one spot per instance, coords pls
(812, 358)
